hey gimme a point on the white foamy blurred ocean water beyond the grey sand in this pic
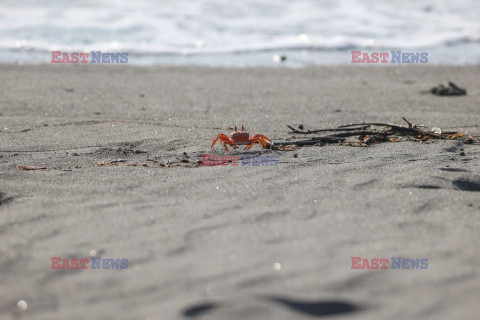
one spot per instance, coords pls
(240, 33)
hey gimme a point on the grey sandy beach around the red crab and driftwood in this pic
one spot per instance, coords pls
(235, 242)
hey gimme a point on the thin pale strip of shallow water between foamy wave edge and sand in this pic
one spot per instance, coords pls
(455, 56)
